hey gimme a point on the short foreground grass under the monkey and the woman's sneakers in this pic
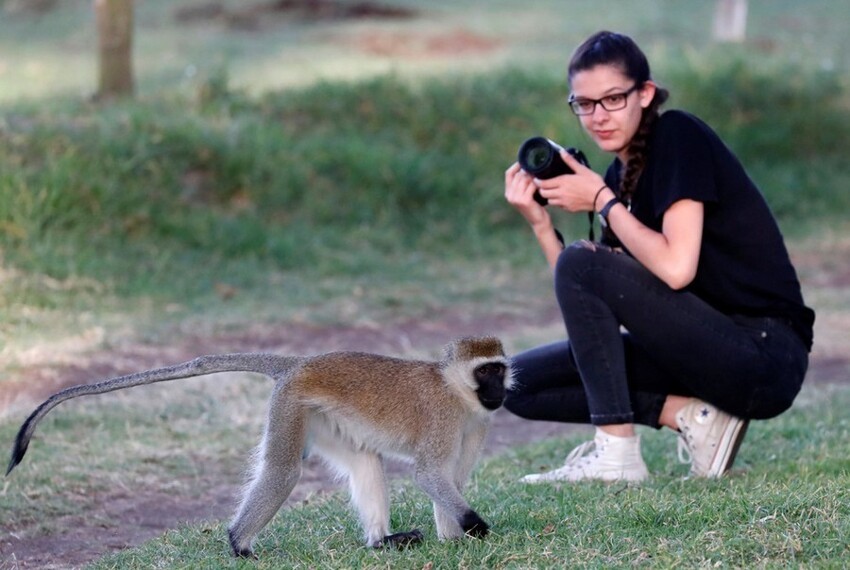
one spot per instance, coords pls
(785, 504)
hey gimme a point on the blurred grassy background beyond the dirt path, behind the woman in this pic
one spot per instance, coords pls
(226, 166)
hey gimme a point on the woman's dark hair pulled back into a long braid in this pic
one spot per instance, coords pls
(609, 48)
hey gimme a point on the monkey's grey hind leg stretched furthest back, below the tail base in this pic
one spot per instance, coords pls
(275, 473)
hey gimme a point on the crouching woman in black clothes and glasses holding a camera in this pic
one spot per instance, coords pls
(689, 314)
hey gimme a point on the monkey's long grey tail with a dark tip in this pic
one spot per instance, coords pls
(268, 364)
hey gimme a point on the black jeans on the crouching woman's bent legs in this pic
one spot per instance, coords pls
(633, 341)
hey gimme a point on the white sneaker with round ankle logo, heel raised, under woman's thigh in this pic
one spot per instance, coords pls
(710, 438)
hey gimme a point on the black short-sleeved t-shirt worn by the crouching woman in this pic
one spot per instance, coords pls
(744, 267)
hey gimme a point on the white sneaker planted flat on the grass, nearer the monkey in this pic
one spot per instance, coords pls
(605, 458)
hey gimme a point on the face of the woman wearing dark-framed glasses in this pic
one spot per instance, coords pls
(612, 131)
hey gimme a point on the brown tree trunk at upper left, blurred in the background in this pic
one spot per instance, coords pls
(115, 47)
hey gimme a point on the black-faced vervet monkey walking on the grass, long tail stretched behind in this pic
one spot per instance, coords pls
(353, 409)
